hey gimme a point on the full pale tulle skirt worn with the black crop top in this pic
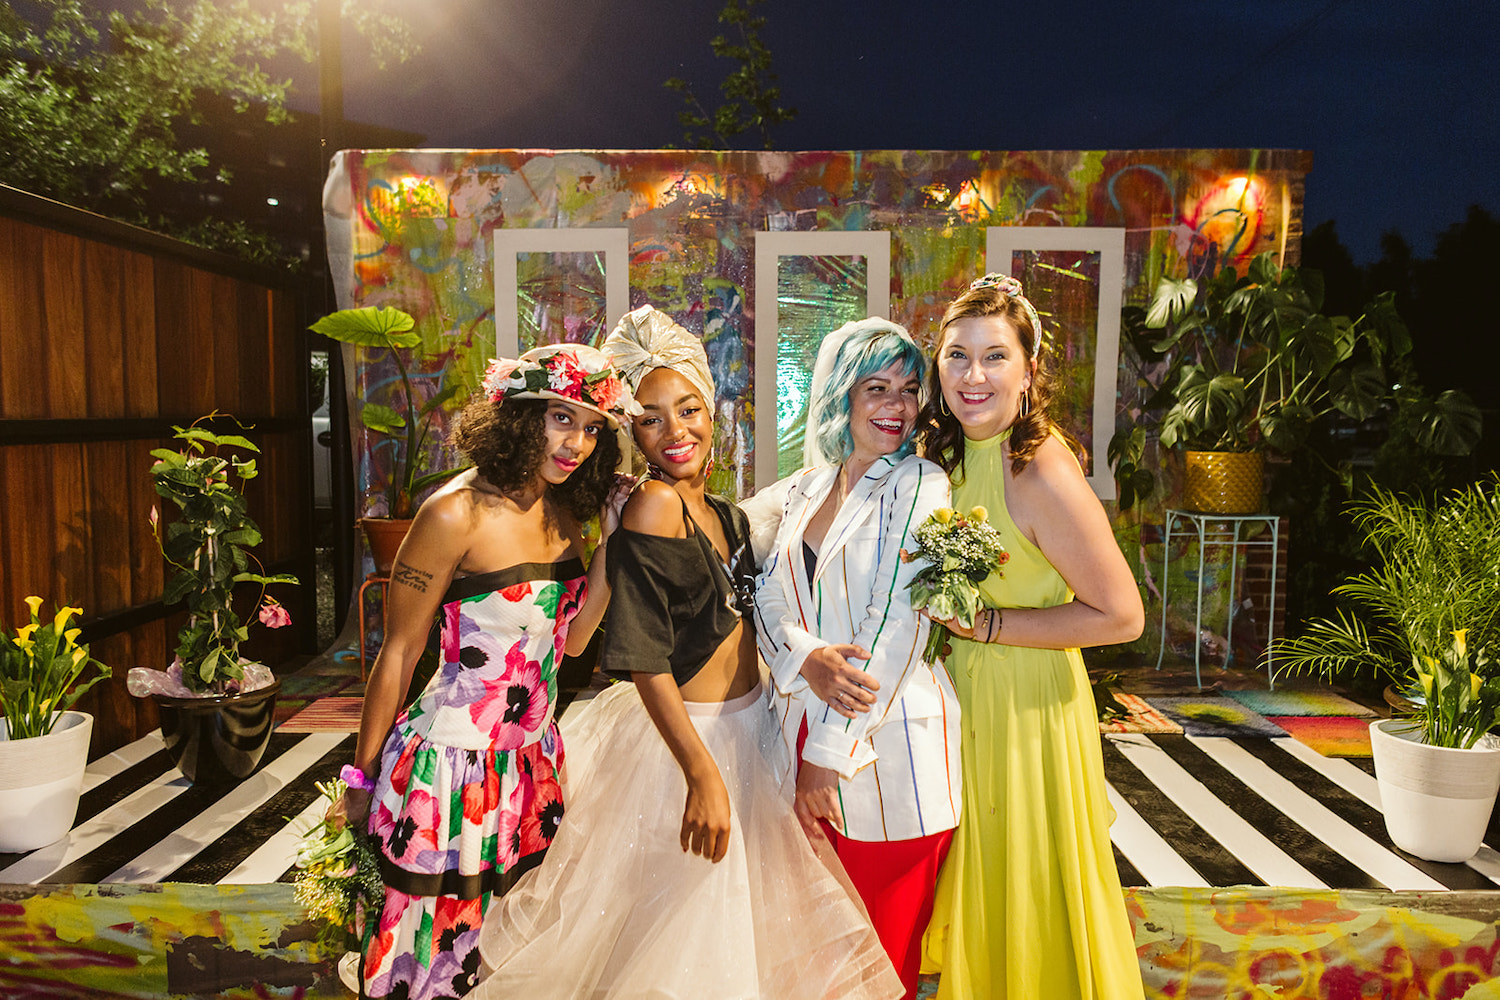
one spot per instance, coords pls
(617, 909)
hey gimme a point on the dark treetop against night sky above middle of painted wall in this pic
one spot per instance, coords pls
(752, 97)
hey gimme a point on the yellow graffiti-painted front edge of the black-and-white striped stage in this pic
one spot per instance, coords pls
(190, 941)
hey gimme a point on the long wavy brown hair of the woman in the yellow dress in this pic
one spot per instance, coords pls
(943, 434)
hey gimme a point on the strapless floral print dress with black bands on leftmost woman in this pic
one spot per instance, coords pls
(469, 795)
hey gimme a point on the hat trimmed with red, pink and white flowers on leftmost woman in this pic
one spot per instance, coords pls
(572, 374)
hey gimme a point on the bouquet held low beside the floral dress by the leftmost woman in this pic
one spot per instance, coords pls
(338, 875)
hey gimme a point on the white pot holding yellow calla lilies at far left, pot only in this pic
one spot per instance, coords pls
(41, 779)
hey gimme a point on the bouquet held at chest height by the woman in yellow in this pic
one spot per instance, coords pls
(961, 552)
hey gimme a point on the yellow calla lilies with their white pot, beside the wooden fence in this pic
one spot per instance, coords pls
(44, 746)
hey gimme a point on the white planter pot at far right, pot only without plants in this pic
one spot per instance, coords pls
(1436, 800)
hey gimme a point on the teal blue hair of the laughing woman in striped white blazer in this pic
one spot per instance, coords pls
(868, 347)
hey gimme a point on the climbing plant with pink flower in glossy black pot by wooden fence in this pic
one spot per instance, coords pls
(217, 707)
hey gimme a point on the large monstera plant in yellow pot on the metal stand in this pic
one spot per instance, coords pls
(1237, 367)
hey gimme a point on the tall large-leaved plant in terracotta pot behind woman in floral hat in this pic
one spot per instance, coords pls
(406, 422)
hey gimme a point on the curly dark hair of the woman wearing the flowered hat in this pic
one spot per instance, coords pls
(508, 446)
